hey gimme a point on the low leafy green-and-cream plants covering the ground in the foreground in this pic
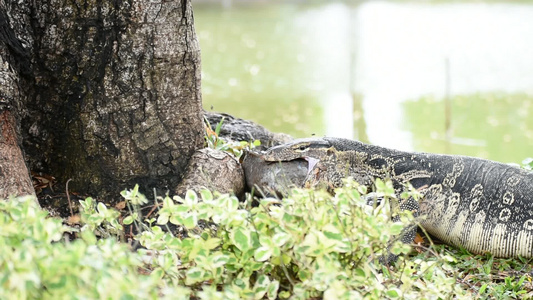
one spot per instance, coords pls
(309, 245)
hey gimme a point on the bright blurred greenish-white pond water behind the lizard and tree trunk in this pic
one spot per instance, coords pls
(447, 77)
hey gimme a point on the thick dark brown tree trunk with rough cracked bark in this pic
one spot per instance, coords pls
(110, 91)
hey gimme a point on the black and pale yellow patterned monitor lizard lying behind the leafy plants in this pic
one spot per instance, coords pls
(481, 205)
